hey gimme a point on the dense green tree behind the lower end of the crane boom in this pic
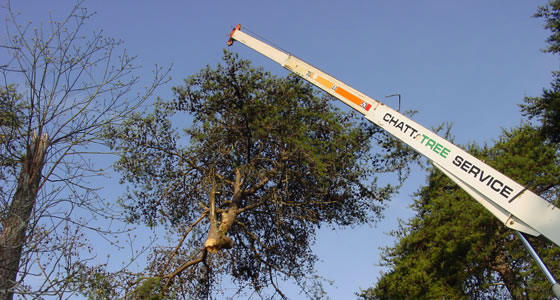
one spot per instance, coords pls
(454, 248)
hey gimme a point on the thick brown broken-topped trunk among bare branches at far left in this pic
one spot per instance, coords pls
(14, 226)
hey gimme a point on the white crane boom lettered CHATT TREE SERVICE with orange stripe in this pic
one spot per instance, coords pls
(513, 204)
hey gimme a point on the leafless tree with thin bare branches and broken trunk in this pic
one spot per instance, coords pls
(60, 90)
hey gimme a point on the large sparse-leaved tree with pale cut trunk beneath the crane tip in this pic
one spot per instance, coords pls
(244, 188)
